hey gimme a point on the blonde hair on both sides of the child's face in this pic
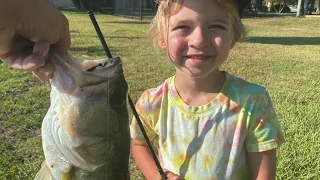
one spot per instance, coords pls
(167, 8)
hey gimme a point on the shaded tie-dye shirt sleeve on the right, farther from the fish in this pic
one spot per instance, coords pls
(264, 131)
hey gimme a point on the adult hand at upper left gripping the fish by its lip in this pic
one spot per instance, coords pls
(28, 29)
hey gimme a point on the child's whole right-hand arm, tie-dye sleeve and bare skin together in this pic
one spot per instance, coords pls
(263, 137)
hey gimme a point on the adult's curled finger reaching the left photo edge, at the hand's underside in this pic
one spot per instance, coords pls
(20, 60)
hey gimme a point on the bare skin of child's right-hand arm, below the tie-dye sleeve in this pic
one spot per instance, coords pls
(263, 165)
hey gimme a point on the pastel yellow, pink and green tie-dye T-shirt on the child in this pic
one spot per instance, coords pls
(209, 141)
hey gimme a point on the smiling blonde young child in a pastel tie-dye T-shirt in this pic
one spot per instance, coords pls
(210, 124)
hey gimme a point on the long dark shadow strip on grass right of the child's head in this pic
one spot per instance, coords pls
(285, 40)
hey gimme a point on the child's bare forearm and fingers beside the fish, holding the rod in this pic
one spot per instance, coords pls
(146, 163)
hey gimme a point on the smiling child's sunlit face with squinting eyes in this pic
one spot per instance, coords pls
(200, 36)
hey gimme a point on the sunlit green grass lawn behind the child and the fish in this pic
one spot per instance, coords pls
(287, 67)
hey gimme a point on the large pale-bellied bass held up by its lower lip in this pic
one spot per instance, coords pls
(85, 133)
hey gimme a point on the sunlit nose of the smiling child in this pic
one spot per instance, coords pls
(198, 38)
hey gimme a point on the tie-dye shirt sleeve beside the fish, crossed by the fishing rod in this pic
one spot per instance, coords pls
(146, 114)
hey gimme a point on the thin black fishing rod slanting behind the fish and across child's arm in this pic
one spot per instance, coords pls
(135, 113)
